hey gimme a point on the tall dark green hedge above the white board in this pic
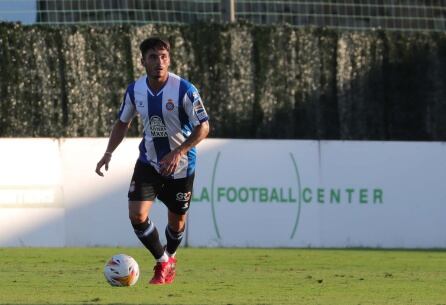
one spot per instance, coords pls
(256, 81)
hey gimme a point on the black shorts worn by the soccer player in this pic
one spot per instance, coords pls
(148, 184)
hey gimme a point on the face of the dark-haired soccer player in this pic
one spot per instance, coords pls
(156, 62)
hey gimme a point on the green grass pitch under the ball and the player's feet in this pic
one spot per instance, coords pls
(228, 276)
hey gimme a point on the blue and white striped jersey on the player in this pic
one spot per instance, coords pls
(169, 117)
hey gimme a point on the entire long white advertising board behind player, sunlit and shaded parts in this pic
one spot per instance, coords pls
(248, 193)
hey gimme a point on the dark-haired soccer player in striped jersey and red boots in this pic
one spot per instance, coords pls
(175, 121)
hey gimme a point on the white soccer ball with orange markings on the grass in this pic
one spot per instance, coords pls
(121, 270)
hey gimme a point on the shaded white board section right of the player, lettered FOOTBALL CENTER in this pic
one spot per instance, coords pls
(320, 194)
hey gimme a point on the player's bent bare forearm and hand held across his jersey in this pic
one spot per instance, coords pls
(170, 162)
